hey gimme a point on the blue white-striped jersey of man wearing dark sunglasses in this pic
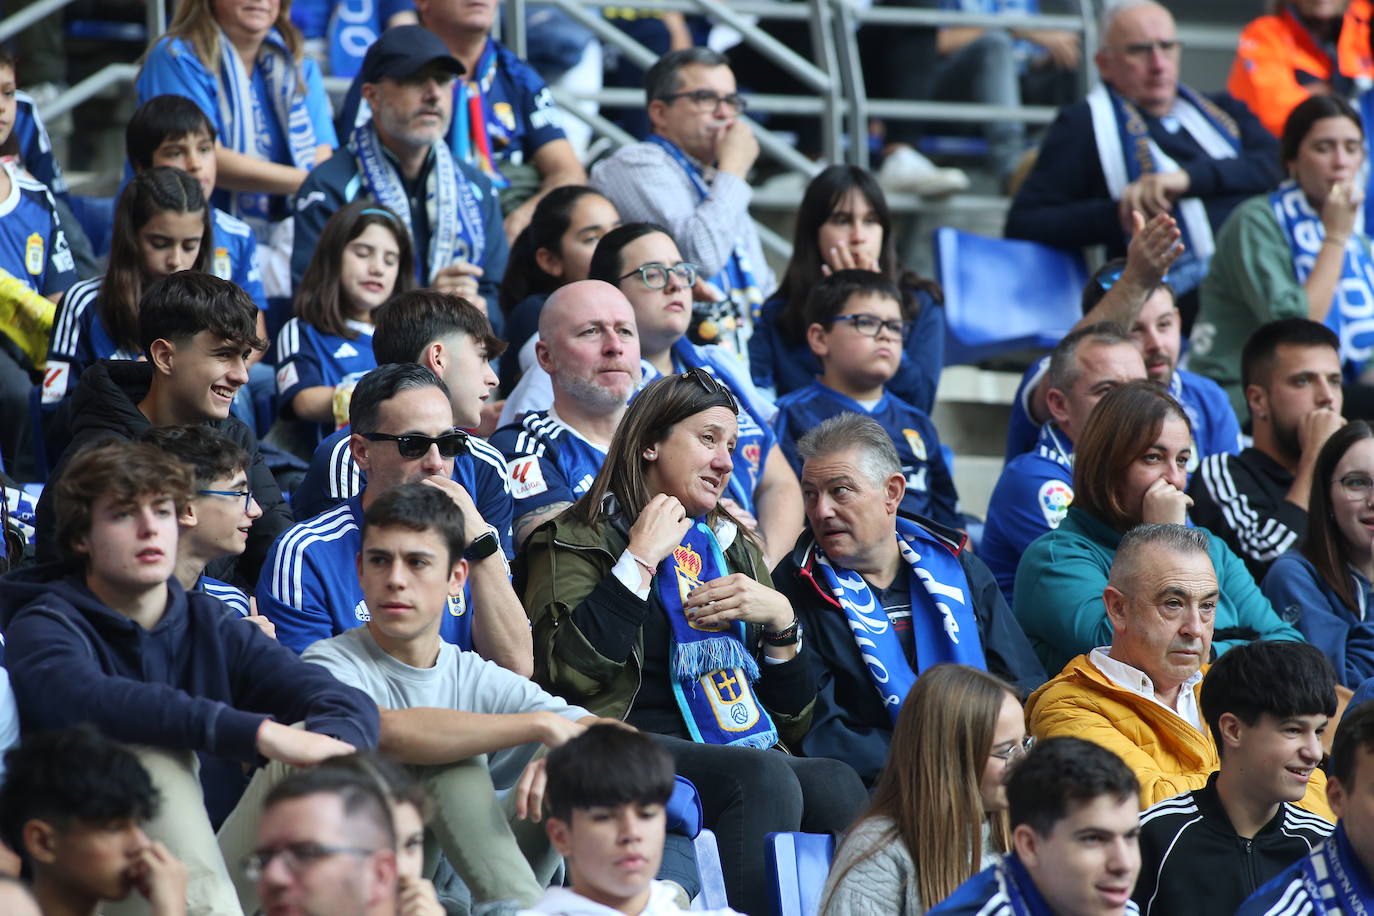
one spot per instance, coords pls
(310, 586)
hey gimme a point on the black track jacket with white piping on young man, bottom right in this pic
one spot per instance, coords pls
(1193, 863)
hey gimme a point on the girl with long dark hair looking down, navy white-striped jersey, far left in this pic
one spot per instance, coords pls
(160, 227)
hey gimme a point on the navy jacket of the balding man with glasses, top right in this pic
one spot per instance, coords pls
(1066, 203)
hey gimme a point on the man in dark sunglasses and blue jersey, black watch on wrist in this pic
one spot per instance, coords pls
(402, 432)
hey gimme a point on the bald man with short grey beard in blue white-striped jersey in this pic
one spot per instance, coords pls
(589, 345)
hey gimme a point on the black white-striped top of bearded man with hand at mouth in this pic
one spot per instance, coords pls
(1243, 499)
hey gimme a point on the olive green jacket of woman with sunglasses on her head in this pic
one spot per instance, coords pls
(565, 573)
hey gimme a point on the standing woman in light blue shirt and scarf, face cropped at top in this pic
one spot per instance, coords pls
(243, 62)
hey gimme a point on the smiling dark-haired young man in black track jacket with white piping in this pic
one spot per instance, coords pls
(1204, 852)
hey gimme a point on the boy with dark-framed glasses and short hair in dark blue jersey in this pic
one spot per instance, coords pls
(857, 326)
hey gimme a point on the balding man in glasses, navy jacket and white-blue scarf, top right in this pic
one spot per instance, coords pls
(1142, 142)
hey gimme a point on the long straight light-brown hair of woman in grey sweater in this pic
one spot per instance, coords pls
(930, 788)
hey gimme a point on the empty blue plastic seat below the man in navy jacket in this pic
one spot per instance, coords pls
(1005, 295)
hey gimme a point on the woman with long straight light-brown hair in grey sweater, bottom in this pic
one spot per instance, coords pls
(939, 814)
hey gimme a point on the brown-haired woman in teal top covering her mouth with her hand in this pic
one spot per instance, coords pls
(1129, 469)
